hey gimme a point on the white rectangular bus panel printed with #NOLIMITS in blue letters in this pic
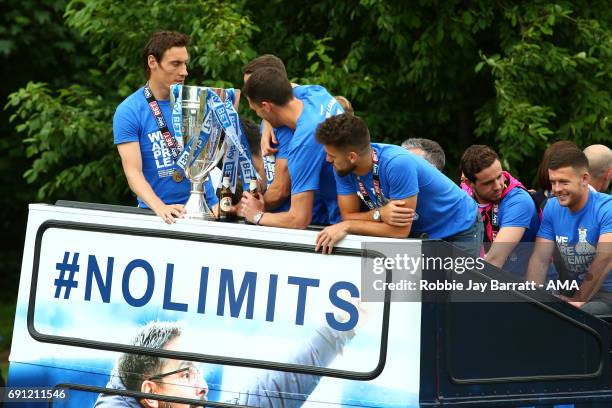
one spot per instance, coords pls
(245, 306)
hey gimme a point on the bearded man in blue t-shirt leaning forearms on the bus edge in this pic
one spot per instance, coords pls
(377, 173)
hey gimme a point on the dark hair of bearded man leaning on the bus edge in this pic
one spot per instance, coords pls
(344, 131)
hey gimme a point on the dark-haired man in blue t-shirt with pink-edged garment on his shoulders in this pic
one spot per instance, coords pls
(510, 215)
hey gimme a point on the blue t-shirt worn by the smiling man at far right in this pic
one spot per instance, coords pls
(577, 234)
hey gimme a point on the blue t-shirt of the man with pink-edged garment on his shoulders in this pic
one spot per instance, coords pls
(517, 209)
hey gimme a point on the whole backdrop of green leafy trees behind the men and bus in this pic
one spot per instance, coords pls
(514, 75)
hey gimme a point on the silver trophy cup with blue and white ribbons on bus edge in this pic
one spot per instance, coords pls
(198, 167)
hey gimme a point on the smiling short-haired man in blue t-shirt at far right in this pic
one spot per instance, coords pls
(579, 221)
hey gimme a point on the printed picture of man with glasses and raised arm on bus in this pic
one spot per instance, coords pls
(180, 378)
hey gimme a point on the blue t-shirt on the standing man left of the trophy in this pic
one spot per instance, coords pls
(134, 122)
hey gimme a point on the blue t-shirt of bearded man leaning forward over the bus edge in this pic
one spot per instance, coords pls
(442, 210)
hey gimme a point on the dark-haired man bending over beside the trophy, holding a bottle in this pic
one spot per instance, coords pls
(313, 191)
